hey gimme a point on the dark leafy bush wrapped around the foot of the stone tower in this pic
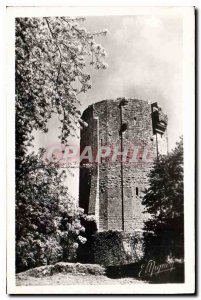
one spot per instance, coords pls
(112, 248)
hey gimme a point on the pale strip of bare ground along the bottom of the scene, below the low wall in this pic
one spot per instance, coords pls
(70, 279)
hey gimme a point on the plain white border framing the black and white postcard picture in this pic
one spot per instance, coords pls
(187, 13)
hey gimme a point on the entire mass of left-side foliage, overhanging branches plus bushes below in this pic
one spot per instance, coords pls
(51, 59)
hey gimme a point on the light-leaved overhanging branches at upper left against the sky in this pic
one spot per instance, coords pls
(51, 58)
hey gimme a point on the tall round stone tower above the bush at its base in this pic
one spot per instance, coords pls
(111, 187)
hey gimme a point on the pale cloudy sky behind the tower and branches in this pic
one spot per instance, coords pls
(145, 62)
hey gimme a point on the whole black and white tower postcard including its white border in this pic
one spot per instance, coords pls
(101, 121)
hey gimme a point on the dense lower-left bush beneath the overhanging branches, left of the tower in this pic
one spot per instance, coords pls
(48, 227)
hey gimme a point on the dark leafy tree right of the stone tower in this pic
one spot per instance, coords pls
(164, 201)
